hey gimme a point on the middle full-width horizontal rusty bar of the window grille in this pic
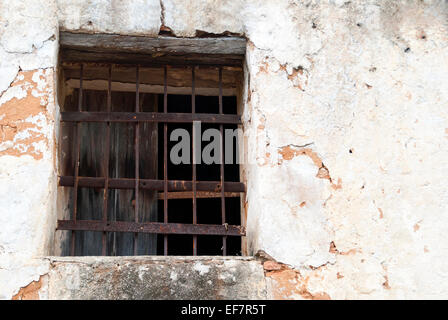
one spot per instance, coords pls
(149, 184)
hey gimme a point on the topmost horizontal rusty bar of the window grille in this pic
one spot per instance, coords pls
(149, 117)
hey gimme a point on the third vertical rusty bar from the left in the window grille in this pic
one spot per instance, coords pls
(137, 154)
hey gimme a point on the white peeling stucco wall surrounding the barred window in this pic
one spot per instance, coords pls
(345, 113)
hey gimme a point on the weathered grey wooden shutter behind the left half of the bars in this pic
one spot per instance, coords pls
(92, 153)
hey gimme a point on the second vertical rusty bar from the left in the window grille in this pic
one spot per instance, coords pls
(106, 161)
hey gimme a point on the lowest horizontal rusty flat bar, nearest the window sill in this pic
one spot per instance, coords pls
(151, 227)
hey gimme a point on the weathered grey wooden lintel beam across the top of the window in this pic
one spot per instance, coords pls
(143, 50)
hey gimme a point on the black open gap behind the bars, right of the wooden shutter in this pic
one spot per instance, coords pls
(208, 209)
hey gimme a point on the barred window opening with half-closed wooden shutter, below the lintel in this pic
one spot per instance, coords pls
(127, 169)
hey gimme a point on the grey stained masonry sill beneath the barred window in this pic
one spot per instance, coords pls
(158, 278)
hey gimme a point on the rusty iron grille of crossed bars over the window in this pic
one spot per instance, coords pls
(168, 189)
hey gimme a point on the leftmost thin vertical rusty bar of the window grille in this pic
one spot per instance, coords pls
(77, 155)
